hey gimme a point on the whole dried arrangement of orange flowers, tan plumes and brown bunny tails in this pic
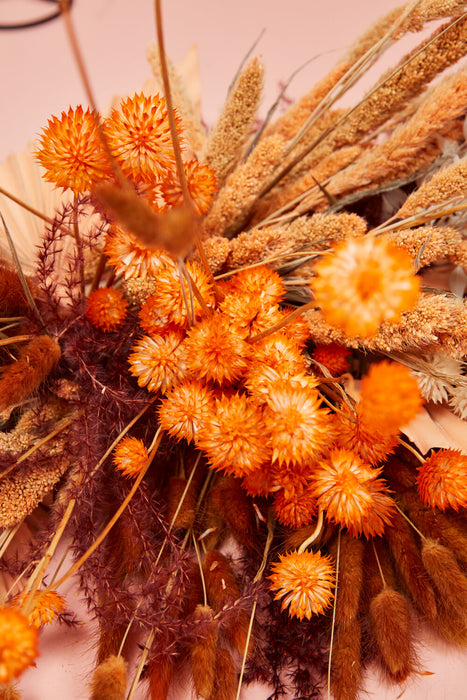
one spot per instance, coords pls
(240, 482)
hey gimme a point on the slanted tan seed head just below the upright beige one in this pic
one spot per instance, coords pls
(233, 204)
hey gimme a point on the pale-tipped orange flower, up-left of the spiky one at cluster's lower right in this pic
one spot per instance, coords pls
(296, 423)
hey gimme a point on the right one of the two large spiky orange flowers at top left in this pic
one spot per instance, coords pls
(139, 137)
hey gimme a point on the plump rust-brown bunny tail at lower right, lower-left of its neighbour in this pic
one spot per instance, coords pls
(392, 624)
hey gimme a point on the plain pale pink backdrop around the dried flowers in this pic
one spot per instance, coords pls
(38, 78)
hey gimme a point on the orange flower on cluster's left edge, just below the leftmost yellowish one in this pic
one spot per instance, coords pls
(185, 409)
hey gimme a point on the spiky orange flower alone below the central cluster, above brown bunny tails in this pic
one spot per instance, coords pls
(304, 581)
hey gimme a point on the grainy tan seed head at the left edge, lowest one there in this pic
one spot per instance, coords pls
(22, 492)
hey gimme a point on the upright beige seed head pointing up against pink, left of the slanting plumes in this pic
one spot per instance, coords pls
(228, 137)
